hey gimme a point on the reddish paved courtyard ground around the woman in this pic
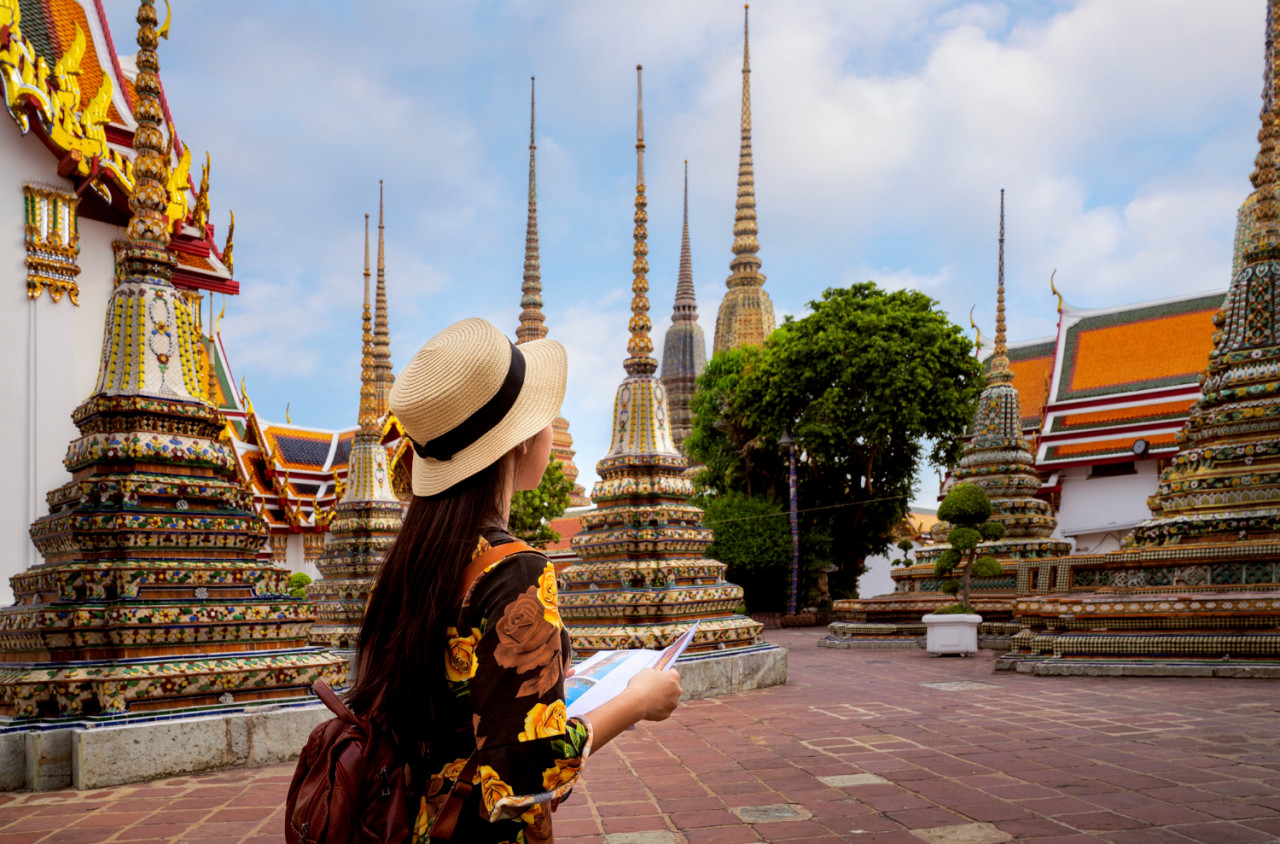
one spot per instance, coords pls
(862, 746)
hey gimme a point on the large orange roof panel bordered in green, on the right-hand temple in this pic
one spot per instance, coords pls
(1163, 345)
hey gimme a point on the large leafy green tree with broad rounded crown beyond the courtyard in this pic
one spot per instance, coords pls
(871, 384)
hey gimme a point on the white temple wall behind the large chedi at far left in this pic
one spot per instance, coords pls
(53, 349)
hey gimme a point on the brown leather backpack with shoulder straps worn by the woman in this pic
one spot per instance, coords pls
(350, 786)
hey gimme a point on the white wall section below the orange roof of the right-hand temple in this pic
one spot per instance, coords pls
(1096, 514)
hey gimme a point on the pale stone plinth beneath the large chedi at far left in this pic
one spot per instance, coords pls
(89, 756)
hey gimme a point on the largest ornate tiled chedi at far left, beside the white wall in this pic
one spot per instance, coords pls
(149, 596)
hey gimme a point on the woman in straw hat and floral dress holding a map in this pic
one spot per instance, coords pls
(455, 669)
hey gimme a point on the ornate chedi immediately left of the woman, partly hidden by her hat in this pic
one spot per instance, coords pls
(364, 524)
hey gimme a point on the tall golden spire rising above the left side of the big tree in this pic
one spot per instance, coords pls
(746, 316)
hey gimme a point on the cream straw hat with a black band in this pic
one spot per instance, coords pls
(470, 396)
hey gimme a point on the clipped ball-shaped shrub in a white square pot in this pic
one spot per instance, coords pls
(954, 628)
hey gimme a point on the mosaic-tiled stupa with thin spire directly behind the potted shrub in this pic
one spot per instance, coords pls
(1000, 460)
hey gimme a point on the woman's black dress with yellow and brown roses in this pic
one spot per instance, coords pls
(506, 674)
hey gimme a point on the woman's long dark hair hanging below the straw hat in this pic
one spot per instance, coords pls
(401, 647)
